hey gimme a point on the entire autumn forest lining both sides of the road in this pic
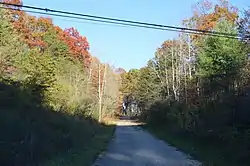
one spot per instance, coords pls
(55, 95)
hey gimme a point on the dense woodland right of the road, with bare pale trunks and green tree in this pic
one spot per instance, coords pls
(198, 86)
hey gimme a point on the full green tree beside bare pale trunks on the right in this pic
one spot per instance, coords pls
(222, 58)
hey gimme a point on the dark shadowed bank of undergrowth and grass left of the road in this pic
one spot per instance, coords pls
(35, 134)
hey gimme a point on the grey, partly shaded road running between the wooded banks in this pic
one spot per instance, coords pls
(132, 146)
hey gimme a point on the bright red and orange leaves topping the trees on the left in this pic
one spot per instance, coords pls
(33, 30)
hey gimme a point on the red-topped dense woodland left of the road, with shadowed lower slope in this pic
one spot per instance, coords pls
(52, 90)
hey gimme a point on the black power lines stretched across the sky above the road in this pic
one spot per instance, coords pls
(122, 21)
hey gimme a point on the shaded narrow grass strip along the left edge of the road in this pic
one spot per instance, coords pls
(87, 154)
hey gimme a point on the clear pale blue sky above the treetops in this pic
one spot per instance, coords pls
(125, 47)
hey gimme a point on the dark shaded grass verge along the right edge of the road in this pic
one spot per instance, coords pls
(208, 154)
